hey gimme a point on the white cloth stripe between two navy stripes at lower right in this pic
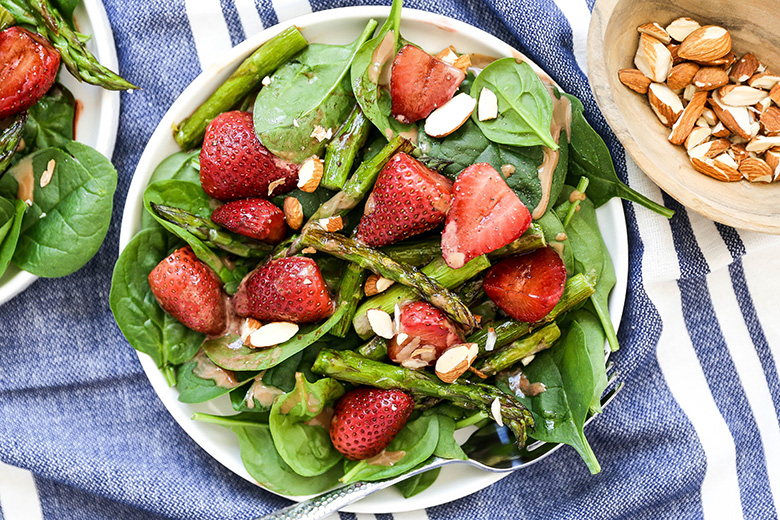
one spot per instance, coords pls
(751, 373)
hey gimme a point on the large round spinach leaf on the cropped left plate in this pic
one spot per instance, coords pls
(69, 216)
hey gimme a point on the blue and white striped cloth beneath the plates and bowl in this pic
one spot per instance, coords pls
(693, 434)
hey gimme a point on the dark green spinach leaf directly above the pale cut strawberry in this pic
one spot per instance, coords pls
(468, 145)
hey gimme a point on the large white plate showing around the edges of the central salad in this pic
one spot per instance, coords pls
(433, 32)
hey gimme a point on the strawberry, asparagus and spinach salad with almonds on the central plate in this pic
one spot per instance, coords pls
(368, 247)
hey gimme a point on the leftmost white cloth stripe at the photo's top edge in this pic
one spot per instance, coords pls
(209, 30)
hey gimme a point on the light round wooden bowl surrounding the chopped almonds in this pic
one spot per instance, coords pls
(612, 42)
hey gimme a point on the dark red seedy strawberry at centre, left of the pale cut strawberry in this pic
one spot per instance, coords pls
(407, 199)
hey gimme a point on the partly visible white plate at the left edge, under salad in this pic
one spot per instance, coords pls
(98, 117)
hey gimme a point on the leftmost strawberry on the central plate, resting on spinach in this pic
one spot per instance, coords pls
(190, 291)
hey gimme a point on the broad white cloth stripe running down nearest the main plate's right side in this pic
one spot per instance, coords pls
(678, 362)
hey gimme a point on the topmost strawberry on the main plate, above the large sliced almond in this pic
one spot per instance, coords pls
(420, 83)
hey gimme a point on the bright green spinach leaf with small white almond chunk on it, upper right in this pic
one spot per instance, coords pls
(524, 105)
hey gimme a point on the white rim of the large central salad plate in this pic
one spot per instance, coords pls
(387, 501)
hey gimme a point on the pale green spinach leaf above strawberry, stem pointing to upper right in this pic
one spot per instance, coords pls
(312, 90)
